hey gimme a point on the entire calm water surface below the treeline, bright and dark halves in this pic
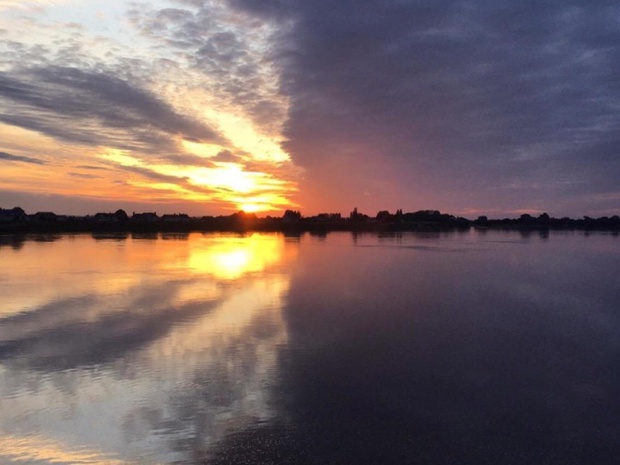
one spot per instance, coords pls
(473, 348)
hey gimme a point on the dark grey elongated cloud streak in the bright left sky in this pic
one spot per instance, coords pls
(92, 107)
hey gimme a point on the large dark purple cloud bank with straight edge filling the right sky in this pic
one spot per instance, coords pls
(453, 90)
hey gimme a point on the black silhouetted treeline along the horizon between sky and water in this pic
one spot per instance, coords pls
(16, 220)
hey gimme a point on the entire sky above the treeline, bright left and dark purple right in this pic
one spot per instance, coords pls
(211, 106)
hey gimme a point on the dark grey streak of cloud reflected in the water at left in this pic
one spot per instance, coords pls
(40, 340)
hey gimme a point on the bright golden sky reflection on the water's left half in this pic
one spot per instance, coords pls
(165, 346)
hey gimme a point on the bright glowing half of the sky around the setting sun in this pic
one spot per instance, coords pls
(179, 136)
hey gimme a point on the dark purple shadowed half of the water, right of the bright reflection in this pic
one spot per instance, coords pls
(402, 351)
